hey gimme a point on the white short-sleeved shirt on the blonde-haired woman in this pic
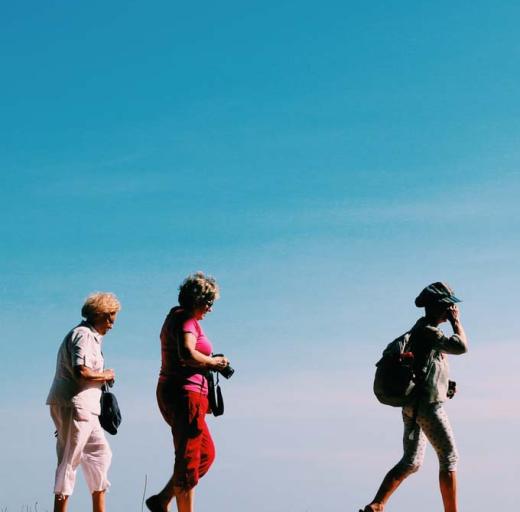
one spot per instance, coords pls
(80, 347)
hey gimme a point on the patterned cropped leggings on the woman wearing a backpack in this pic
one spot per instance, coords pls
(432, 424)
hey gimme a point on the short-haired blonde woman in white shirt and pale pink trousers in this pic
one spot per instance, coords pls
(74, 401)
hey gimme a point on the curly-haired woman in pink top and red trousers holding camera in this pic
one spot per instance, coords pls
(182, 390)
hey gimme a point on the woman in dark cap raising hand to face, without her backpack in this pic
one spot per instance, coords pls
(427, 419)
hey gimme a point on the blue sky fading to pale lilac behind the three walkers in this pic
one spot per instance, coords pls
(324, 161)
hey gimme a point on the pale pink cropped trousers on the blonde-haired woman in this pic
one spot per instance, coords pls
(80, 440)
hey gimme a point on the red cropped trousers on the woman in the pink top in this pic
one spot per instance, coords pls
(185, 412)
